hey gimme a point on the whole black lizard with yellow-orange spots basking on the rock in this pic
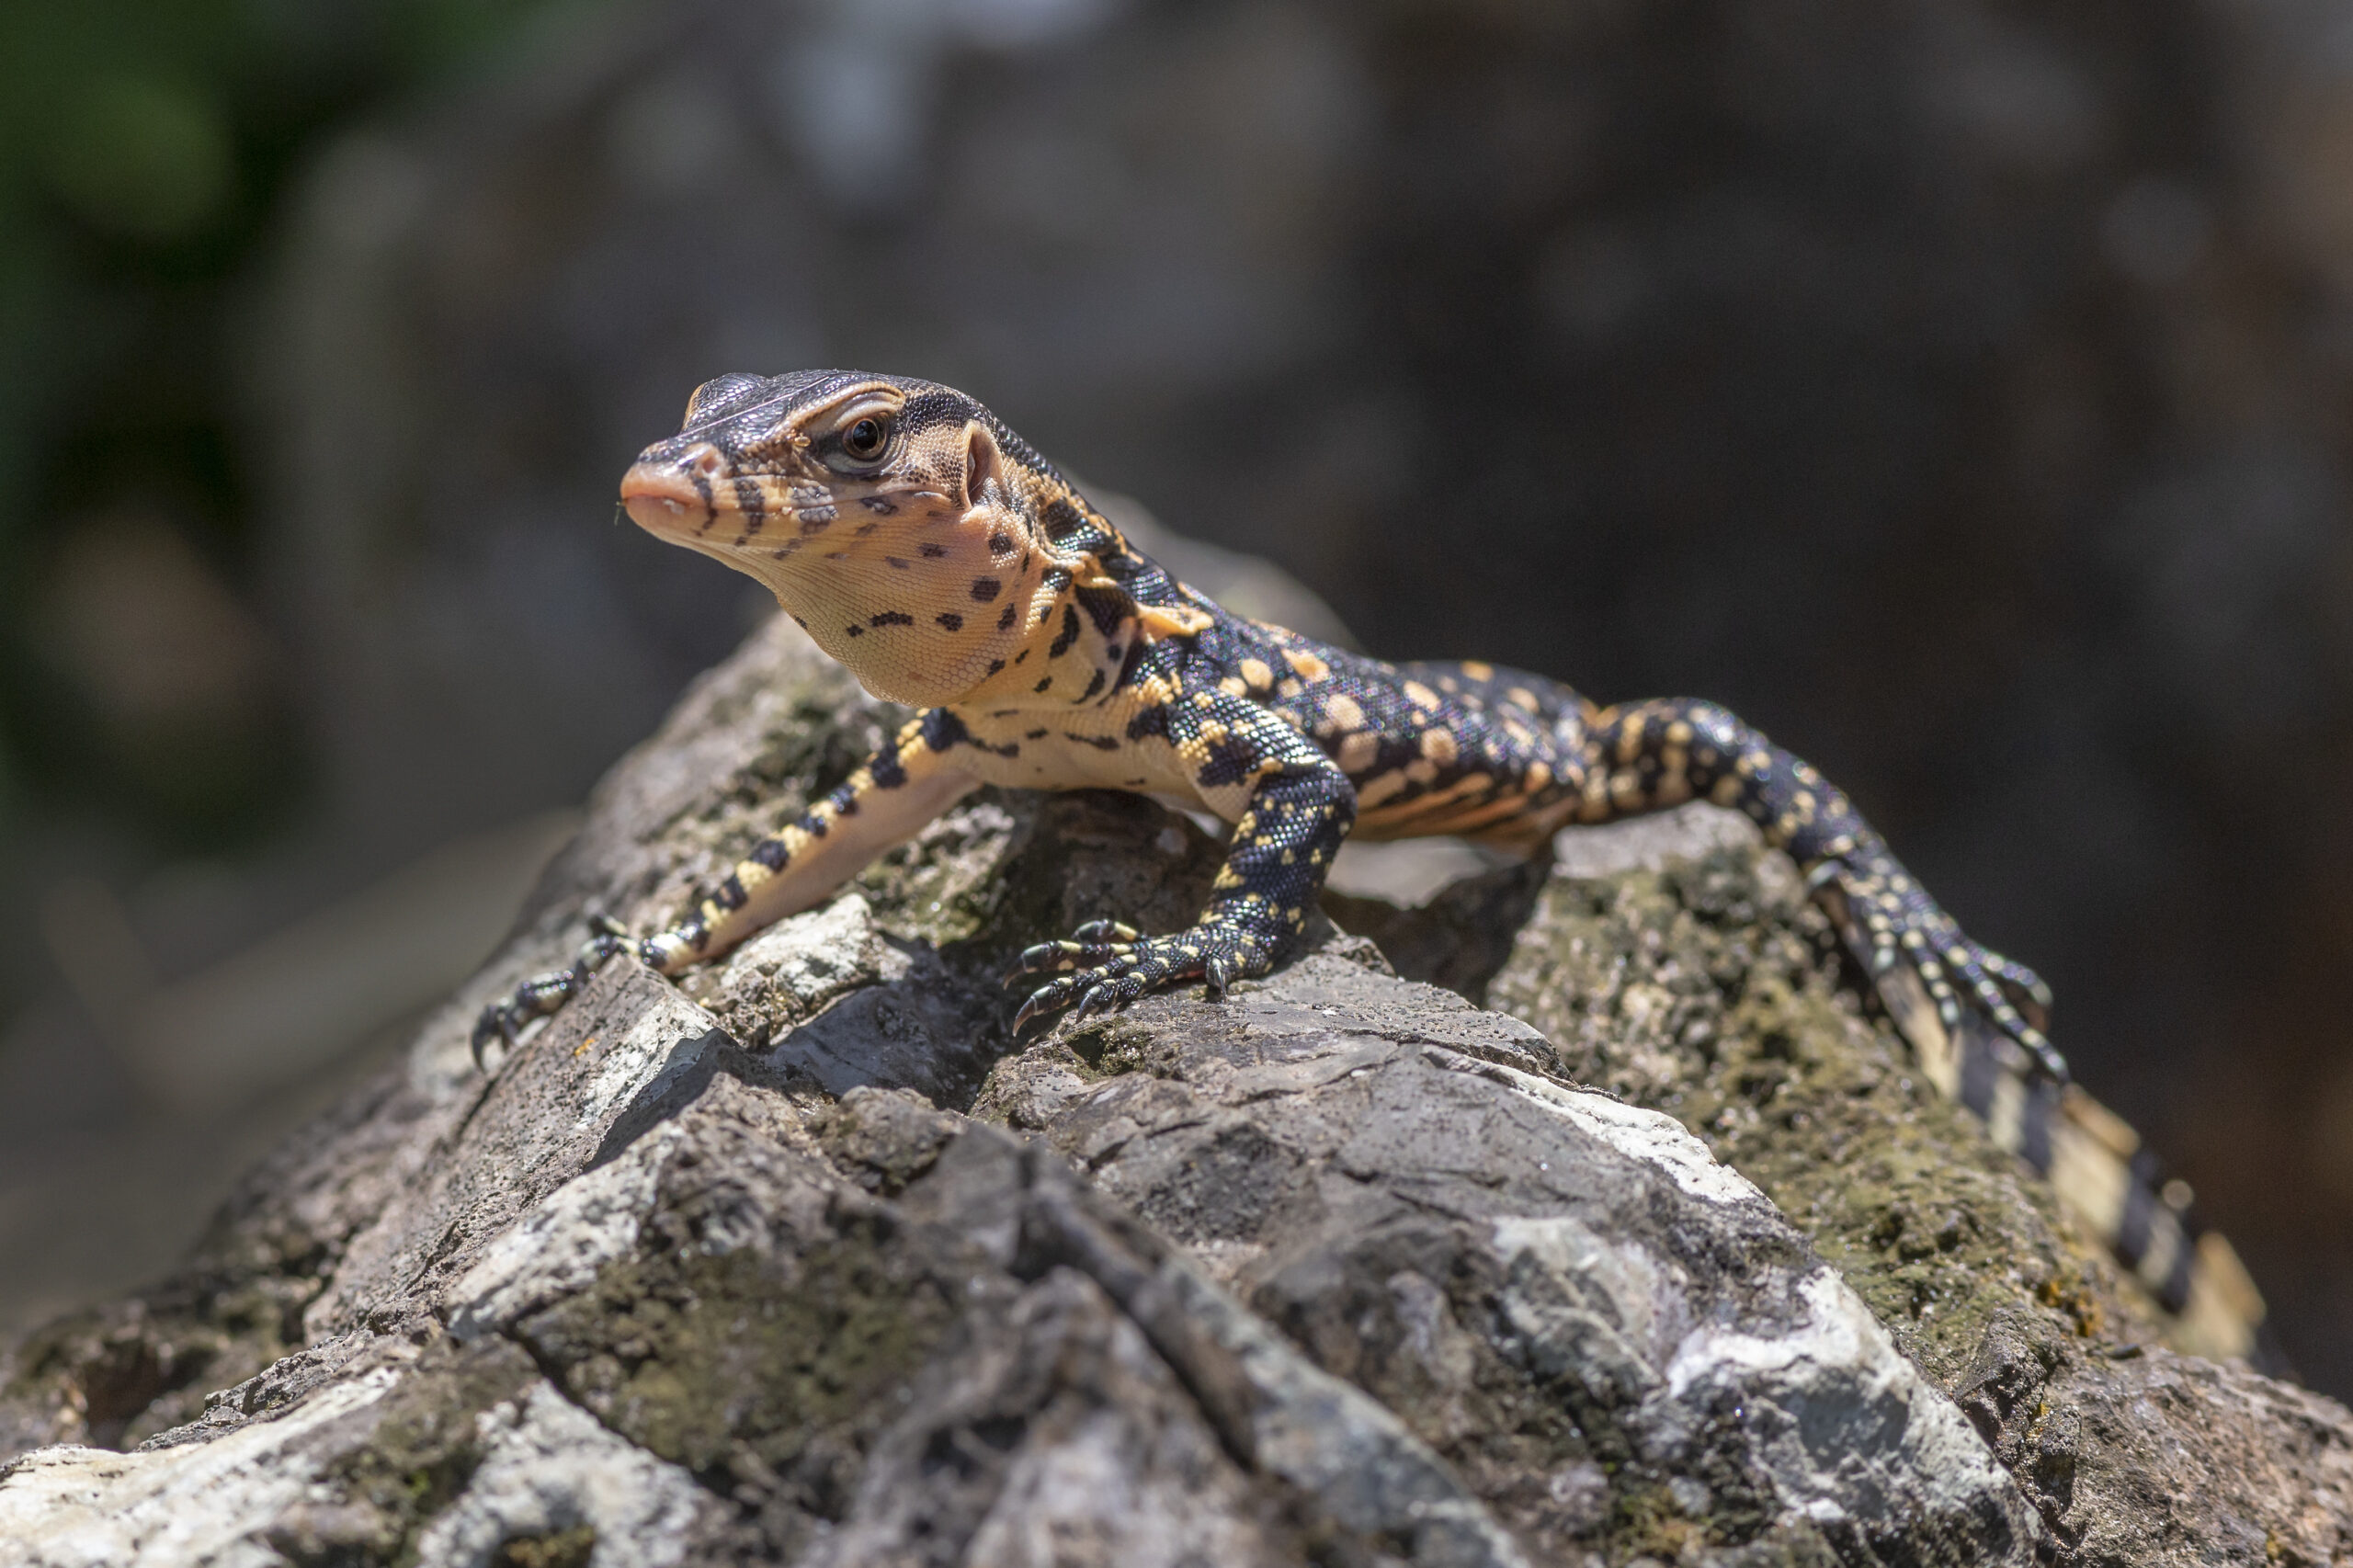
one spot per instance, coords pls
(952, 569)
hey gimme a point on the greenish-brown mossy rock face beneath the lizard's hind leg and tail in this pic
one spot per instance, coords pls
(1717, 992)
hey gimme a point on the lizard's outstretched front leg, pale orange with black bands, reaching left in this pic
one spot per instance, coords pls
(884, 804)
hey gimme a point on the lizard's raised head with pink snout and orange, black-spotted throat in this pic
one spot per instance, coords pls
(898, 521)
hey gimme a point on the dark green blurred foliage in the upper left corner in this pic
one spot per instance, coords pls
(145, 157)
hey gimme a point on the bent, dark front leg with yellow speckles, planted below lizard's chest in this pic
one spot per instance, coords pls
(1298, 813)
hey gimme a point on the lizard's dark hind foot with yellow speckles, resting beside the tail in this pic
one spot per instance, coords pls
(1902, 924)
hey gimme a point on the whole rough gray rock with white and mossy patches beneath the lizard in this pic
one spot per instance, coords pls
(808, 1261)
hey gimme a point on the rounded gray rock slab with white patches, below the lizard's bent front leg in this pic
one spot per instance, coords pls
(1542, 1282)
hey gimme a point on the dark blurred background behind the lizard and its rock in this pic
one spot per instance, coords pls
(1957, 390)
